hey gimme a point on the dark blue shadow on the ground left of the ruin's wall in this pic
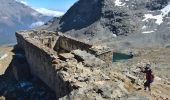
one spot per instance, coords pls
(18, 84)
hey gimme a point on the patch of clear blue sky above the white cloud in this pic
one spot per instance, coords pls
(60, 5)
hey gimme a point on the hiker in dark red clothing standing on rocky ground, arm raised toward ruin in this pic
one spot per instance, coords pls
(149, 76)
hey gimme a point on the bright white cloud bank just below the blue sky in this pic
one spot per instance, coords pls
(48, 12)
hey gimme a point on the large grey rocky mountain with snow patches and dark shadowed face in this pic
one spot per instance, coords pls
(133, 22)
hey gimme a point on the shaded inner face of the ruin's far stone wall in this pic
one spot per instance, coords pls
(71, 44)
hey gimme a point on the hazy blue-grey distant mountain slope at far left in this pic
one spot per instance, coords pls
(17, 16)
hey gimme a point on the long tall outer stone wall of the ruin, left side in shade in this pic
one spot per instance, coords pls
(40, 59)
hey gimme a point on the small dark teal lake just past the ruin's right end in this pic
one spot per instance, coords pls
(117, 56)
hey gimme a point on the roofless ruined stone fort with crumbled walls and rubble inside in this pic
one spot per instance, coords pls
(60, 61)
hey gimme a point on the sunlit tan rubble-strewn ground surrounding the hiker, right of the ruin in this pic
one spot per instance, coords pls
(121, 79)
